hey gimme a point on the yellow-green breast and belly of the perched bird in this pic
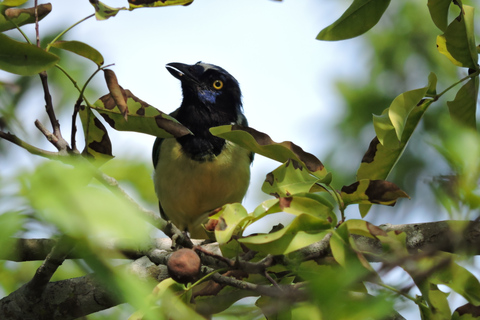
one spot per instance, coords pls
(189, 189)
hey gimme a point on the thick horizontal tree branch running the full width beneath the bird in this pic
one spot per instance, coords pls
(429, 236)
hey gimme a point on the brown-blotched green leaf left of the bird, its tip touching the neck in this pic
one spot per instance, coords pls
(142, 117)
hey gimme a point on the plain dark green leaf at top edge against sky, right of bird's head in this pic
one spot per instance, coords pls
(360, 17)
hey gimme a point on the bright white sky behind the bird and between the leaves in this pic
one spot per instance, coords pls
(286, 76)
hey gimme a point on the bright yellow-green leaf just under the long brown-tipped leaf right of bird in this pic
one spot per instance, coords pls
(289, 179)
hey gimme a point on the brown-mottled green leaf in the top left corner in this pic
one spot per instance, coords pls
(17, 17)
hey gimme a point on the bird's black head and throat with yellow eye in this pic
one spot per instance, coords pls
(211, 97)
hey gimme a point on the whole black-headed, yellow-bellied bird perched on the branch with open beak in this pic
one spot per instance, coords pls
(198, 173)
